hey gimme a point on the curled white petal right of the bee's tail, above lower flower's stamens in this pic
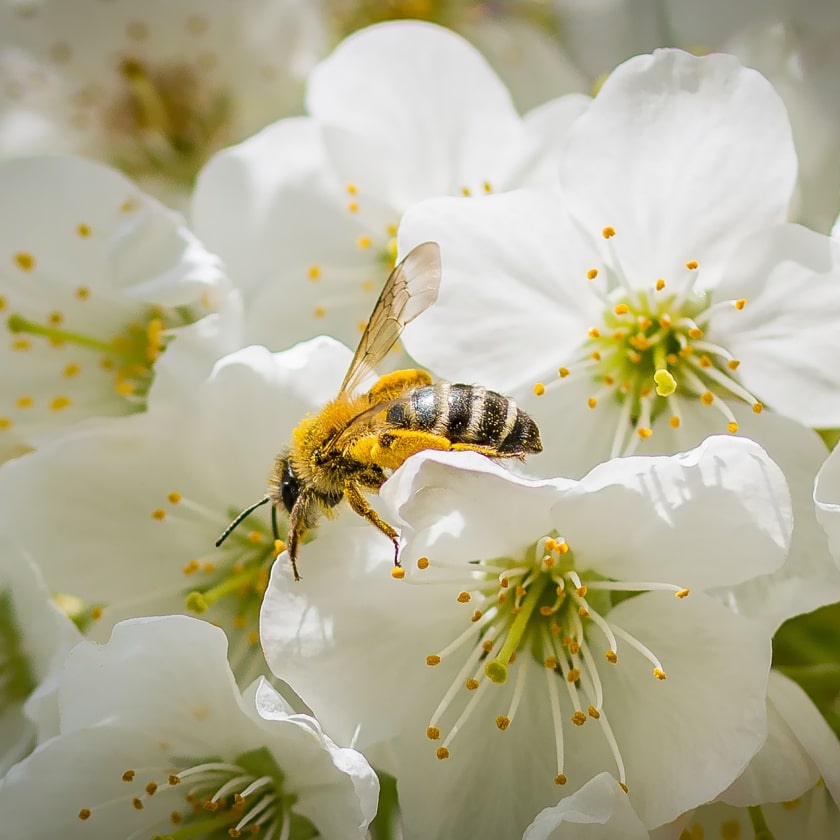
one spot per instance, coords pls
(717, 514)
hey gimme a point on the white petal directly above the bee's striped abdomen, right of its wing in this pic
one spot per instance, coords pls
(513, 265)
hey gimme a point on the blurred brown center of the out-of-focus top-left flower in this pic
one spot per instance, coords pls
(166, 120)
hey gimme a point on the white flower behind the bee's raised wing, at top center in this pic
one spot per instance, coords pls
(305, 214)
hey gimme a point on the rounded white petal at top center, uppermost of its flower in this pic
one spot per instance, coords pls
(413, 111)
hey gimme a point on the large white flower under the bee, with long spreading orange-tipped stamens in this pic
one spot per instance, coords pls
(507, 569)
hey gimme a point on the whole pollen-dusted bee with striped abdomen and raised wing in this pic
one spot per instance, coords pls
(355, 441)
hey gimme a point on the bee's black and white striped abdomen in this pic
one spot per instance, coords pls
(467, 414)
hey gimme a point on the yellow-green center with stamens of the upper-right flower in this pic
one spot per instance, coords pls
(651, 352)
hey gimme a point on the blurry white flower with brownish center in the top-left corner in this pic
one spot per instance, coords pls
(154, 88)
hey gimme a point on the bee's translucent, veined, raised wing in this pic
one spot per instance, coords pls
(410, 290)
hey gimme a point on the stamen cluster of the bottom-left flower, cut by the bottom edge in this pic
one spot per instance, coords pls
(211, 799)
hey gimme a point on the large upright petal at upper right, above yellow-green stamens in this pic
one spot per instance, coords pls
(682, 156)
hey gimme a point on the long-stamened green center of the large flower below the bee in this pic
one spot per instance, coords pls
(535, 615)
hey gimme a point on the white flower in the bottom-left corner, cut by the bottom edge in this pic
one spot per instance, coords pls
(156, 740)
